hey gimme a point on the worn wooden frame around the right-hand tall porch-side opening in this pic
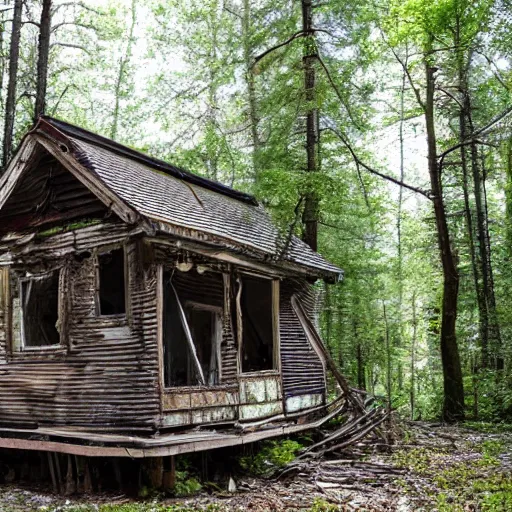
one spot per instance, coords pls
(276, 338)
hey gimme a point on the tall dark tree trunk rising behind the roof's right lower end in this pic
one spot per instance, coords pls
(311, 202)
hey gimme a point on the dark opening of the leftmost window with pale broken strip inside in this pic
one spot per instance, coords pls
(40, 310)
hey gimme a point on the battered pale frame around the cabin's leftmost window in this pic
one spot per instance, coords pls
(62, 313)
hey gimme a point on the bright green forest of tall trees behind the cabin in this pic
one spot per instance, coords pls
(379, 132)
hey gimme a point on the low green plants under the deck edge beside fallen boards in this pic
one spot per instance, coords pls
(271, 456)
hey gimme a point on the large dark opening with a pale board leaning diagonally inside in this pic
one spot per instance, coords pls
(192, 332)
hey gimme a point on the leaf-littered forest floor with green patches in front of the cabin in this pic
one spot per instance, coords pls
(432, 468)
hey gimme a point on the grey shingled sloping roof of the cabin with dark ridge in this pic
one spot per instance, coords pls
(163, 193)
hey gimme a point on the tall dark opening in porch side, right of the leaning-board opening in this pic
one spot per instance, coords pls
(257, 324)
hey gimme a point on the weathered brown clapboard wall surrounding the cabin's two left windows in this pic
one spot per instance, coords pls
(106, 372)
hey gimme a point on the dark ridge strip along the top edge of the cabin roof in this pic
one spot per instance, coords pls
(73, 131)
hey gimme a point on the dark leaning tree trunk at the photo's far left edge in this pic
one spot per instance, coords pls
(10, 103)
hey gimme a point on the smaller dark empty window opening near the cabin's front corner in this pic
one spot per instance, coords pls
(112, 297)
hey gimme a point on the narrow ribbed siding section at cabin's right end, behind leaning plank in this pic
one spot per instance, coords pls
(302, 369)
